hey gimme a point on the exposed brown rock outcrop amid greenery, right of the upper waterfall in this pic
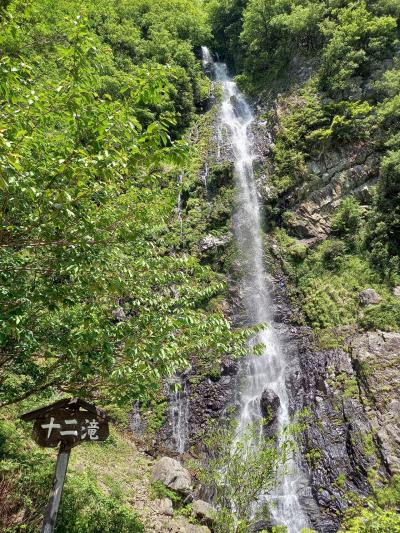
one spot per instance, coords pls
(347, 170)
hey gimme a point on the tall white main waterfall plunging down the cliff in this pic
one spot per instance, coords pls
(270, 369)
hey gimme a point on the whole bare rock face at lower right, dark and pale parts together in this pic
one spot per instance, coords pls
(352, 397)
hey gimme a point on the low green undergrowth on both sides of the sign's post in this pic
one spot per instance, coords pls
(25, 475)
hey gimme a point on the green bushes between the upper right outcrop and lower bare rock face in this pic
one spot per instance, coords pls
(331, 276)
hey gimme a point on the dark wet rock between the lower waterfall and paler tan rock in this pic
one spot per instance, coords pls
(337, 430)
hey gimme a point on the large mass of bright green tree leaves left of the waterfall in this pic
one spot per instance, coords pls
(88, 197)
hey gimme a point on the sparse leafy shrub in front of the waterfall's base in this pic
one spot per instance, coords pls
(240, 472)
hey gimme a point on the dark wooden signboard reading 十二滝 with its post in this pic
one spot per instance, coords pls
(66, 424)
